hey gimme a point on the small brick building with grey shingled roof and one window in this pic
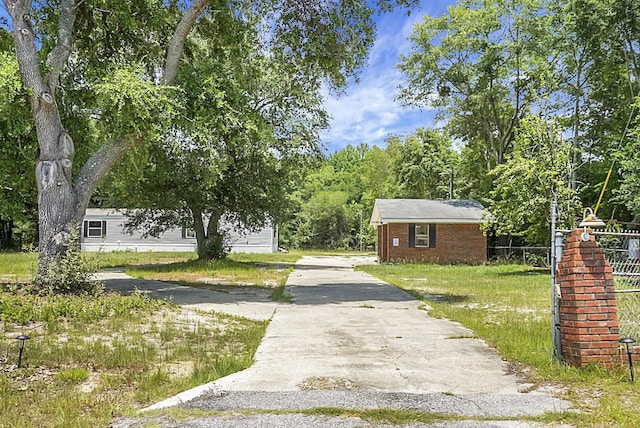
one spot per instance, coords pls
(429, 231)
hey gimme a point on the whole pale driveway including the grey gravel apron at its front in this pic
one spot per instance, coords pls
(351, 340)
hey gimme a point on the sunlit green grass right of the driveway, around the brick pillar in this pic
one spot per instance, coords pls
(509, 307)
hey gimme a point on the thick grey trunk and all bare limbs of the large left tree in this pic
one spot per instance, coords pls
(62, 201)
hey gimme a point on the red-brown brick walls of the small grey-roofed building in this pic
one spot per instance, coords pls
(455, 243)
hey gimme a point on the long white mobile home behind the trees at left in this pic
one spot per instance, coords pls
(103, 230)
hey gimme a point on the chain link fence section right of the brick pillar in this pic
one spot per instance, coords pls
(622, 250)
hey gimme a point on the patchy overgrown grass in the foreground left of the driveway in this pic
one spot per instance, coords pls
(90, 359)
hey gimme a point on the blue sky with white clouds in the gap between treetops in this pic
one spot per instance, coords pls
(368, 112)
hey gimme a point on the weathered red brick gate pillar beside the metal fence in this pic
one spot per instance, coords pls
(588, 315)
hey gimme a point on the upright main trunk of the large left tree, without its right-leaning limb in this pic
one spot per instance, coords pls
(57, 203)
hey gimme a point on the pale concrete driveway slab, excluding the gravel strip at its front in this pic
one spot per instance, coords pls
(353, 330)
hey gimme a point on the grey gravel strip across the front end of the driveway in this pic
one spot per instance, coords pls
(231, 404)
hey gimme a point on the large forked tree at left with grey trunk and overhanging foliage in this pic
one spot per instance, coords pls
(121, 54)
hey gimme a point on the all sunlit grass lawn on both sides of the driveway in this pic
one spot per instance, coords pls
(89, 359)
